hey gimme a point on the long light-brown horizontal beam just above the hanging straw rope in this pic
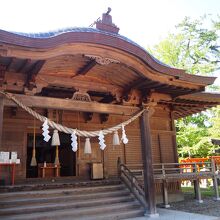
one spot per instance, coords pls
(71, 105)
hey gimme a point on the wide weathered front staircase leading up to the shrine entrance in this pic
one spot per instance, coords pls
(112, 201)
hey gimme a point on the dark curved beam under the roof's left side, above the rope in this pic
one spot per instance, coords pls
(32, 73)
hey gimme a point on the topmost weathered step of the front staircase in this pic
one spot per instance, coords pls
(62, 191)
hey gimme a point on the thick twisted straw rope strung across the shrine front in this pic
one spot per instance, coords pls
(67, 130)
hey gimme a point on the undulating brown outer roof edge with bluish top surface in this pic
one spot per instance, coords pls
(95, 36)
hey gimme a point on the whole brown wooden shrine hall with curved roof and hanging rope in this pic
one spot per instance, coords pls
(84, 81)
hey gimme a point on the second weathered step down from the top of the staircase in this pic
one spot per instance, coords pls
(62, 198)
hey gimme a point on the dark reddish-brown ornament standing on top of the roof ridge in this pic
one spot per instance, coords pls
(105, 24)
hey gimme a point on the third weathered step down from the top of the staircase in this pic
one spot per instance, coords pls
(31, 208)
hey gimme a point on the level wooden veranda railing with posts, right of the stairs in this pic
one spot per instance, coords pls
(168, 172)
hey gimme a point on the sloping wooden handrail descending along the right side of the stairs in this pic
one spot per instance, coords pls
(132, 183)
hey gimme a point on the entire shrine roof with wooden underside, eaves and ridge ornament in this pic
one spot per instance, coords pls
(129, 67)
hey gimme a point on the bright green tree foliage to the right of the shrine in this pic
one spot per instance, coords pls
(196, 49)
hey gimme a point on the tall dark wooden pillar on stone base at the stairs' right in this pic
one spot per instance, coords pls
(149, 186)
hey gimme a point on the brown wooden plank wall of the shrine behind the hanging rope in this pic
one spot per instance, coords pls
(16, 126)
